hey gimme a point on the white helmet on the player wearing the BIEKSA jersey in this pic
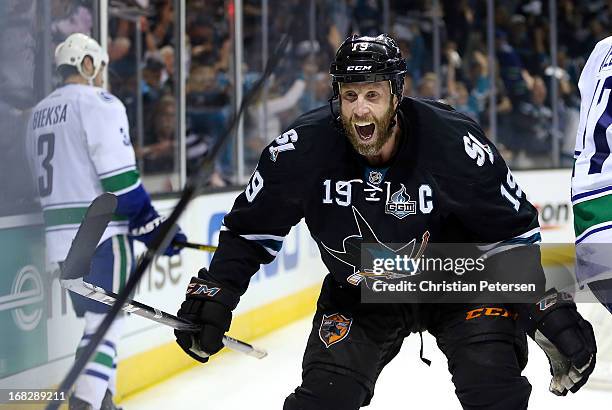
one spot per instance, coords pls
(75, 48)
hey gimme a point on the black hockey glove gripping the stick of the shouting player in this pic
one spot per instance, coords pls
(209, 304)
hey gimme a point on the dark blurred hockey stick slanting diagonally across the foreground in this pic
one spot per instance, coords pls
(168, 228)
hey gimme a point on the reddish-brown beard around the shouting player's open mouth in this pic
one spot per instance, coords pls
(382, 132)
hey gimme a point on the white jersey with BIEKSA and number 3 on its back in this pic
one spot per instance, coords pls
(80, 147)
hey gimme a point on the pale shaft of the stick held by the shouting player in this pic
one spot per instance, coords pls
(109, 298)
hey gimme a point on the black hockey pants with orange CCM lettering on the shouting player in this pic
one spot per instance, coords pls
(350, 343)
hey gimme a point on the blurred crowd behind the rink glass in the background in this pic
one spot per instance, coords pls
(445, 42)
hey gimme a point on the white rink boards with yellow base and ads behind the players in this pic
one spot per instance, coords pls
(279, 293)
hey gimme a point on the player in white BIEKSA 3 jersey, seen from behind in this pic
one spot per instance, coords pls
(81, 147)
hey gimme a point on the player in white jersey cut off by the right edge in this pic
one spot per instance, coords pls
(592, 176)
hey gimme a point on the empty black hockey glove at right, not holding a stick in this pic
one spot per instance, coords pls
(566, 338)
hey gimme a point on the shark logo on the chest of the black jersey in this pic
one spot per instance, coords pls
(360, 250)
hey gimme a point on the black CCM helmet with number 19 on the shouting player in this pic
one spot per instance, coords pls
(364, 58)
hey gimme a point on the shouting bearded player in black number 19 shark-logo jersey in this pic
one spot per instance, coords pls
(379, 167)
